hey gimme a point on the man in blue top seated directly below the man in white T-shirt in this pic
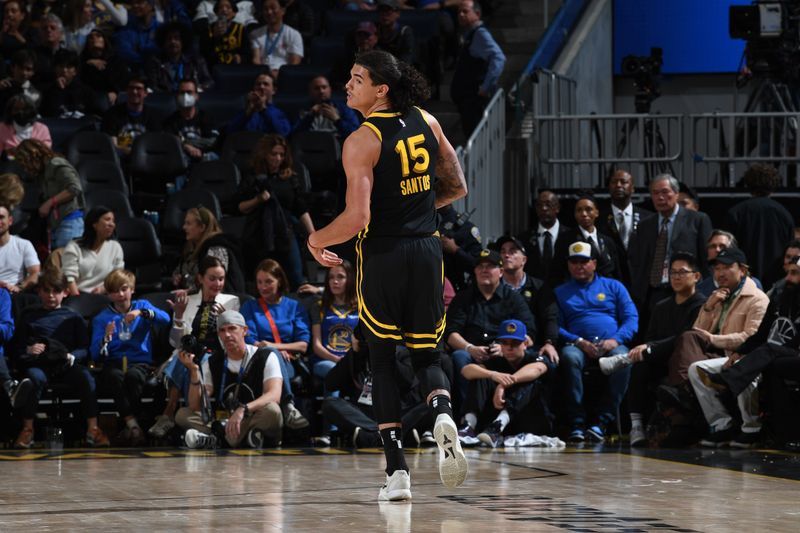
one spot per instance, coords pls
(260, 114)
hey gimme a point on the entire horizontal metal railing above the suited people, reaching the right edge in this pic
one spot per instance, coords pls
(702, 150)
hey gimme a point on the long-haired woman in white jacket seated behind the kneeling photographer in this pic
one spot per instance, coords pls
(193, 314)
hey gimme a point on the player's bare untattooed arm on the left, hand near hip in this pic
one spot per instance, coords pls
(359, 156)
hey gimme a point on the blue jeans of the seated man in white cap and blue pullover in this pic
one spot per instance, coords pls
(573, 361)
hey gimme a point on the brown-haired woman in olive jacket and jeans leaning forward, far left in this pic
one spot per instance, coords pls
(61, 190)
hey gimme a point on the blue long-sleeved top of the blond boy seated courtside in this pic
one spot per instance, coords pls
(138, 348)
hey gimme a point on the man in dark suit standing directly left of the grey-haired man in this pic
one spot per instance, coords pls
(623, 220)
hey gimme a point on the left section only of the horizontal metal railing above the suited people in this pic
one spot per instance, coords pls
(576, 151)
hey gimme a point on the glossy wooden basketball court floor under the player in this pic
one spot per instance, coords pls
(328, 489)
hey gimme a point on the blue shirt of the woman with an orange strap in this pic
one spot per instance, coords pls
(290, 318)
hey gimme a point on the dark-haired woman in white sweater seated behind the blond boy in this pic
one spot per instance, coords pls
(87, 261)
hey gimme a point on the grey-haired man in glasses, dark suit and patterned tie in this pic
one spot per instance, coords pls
(673, 229)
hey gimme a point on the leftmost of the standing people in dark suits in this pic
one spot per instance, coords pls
(548, 242)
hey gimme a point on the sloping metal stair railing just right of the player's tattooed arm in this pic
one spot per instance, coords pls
(482, 159)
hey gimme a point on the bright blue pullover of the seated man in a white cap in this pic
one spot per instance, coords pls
(601, 308)
